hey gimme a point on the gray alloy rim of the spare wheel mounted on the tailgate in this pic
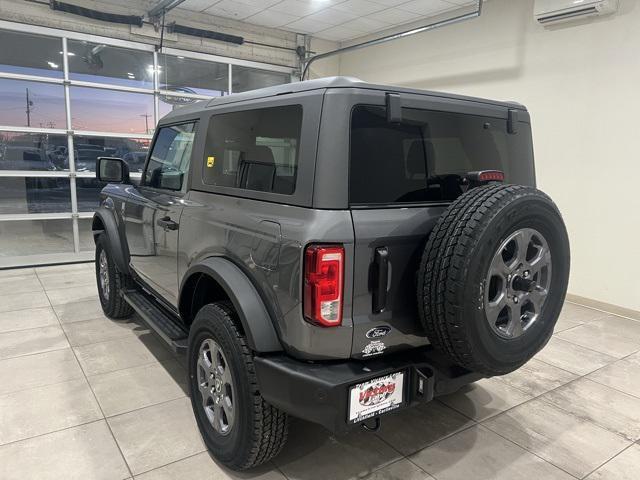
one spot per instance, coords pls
(517, 283)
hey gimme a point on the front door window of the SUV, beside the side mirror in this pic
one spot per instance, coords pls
(170, 157)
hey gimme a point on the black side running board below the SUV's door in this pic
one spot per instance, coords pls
(158, 319)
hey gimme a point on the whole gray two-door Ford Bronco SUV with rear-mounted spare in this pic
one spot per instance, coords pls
(332, 250)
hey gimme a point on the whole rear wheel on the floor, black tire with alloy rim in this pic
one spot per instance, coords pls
(238, 426)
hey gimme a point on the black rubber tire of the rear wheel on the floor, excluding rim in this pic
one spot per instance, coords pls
(260, 430)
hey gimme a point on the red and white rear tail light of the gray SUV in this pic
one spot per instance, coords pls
(323, 284)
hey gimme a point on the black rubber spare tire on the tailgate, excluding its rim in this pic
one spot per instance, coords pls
(453, 269)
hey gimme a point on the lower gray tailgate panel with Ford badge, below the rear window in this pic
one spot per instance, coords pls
(384, 300)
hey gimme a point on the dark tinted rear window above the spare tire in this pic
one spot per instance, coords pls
(421, 158)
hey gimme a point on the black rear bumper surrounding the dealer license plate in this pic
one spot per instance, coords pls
(319, 392)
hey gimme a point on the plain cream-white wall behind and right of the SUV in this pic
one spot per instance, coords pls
(581, 83)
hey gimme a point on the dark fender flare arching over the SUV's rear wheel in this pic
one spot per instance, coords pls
(254, 316)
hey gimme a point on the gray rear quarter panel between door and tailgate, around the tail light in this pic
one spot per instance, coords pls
(234, 228)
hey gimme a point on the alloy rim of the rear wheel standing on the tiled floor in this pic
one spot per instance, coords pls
(216, 386)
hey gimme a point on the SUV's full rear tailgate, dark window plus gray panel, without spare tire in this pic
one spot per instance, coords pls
(402, 177)
